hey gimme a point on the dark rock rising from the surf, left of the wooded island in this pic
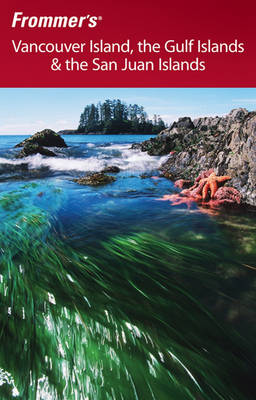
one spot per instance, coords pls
(47, 138)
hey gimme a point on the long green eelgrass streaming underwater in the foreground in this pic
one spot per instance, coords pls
(124, 319)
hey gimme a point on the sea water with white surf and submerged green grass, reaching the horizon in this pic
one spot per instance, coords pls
(109, 293)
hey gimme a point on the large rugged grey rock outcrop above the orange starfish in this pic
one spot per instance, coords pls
(226, 144)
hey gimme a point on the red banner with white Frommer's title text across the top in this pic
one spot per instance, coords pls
(128, 44)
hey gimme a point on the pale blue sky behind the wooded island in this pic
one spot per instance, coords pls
(26, 111)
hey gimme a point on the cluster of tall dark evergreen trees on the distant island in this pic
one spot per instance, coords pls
(114, 116)
